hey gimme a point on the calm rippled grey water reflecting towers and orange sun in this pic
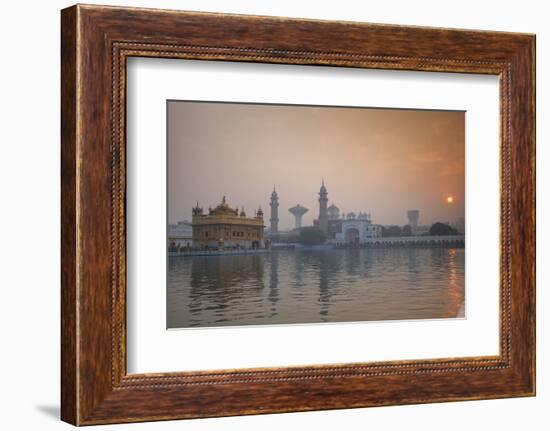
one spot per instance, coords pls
(315, 286)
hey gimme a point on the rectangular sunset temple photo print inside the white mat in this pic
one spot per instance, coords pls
(298, 214)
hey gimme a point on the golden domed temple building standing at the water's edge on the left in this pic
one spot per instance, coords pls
(226, 227)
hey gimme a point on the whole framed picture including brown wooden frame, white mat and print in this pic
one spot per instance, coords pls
(263, 215)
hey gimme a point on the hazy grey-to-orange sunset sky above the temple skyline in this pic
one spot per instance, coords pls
(381, 161)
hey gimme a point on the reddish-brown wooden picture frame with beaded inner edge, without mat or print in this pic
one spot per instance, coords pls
(96, 42)
